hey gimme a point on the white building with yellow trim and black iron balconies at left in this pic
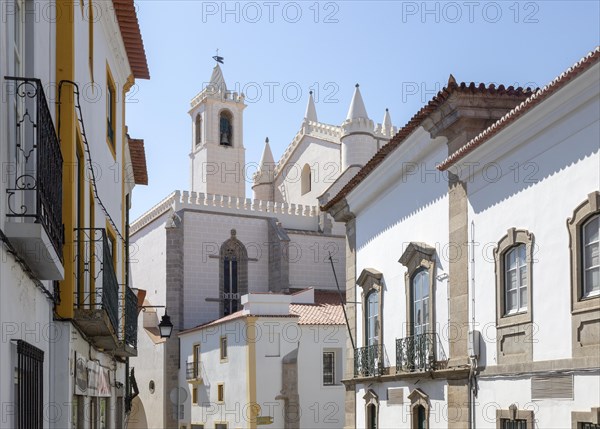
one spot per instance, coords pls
(66, 311)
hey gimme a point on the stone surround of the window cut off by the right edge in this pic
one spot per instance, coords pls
(582, 213)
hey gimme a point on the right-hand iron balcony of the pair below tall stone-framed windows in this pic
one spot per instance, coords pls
(422, 352)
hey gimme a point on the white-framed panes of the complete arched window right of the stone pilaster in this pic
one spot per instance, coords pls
(515, 280)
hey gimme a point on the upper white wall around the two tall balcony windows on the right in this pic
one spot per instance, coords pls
(414, 207)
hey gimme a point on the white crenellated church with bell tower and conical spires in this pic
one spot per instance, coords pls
(202, 249)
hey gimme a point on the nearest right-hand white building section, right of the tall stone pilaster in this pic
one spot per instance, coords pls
(535, 276)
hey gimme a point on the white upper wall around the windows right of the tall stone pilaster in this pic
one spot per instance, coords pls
(545, 177)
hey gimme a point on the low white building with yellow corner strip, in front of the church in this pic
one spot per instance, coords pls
(277, 362)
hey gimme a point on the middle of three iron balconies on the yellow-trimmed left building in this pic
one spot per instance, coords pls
(96, 288)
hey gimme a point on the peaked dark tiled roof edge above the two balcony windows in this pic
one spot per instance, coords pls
(417, 120)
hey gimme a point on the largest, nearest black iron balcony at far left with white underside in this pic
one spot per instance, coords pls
(34, 174)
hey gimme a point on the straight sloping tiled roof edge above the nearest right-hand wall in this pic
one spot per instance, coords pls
(582, 65)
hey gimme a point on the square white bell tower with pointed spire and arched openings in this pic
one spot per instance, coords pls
(217, 155)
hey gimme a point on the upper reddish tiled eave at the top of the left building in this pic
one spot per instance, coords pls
(132, 38)
